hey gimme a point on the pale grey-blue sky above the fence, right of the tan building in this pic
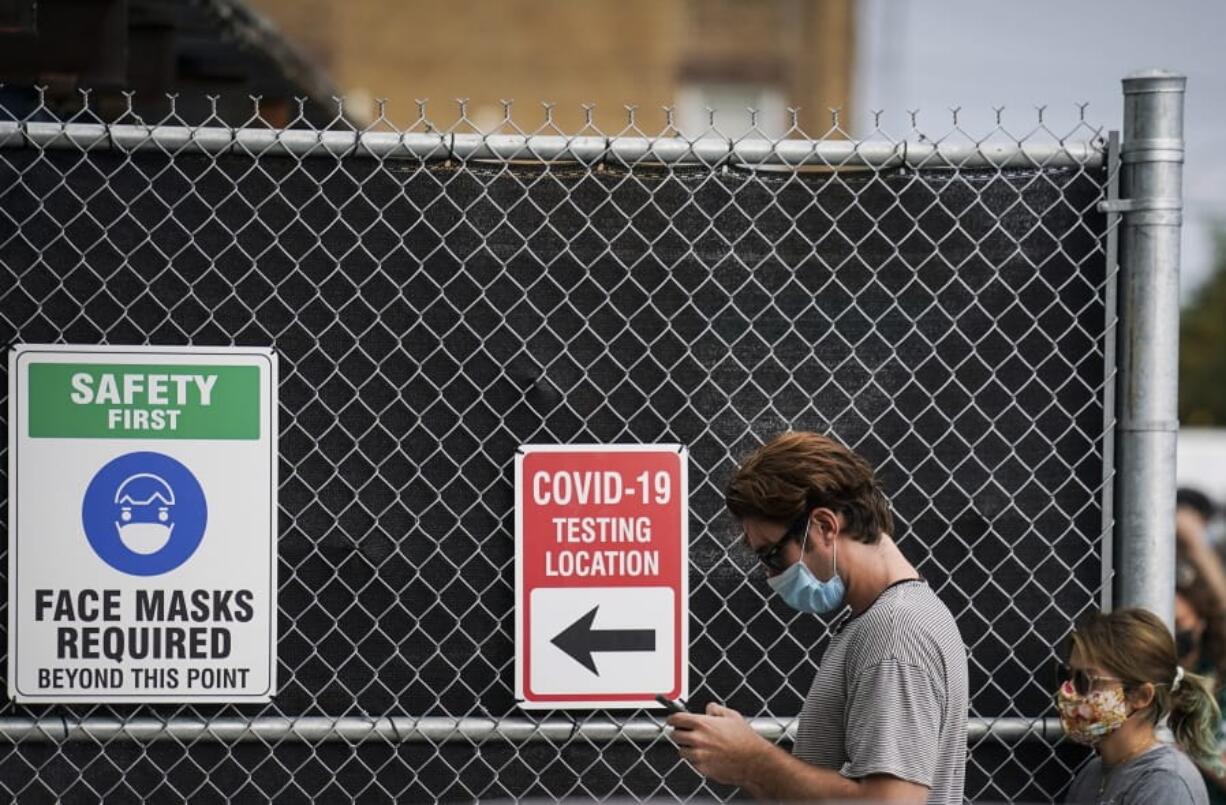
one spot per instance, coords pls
(935, 56)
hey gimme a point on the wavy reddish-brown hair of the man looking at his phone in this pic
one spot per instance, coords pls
(798, 472)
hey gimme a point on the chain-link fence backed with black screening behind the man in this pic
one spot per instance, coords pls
(438, 297)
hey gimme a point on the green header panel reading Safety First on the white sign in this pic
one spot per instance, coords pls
(144, 401)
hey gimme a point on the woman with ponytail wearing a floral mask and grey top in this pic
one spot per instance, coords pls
(1122, 679)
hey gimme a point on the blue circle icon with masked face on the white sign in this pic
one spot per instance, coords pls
(144, 514)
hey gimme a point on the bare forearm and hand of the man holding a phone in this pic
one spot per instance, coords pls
(723, 747)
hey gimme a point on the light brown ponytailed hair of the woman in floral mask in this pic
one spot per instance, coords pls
(1136, 646)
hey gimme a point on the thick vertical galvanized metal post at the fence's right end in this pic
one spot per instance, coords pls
(1149, 340)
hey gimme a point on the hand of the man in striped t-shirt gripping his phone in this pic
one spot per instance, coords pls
(720, 746)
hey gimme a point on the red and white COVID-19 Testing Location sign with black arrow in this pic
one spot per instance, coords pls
(601, 556)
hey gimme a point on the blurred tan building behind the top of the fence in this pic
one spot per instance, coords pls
(730, 55)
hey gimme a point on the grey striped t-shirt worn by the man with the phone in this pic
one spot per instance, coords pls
(891, 697)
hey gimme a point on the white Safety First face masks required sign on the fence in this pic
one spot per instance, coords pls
(143, 514)
